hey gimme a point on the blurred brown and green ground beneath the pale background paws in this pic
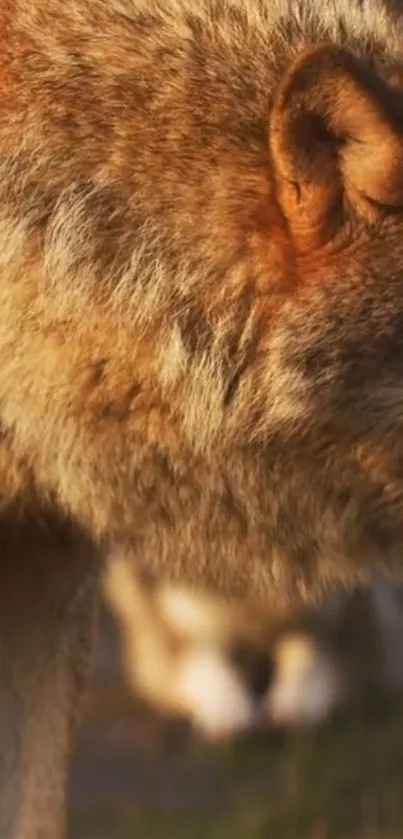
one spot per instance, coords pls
(137, 777)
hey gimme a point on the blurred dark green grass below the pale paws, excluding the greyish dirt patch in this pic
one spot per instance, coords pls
(344, 783)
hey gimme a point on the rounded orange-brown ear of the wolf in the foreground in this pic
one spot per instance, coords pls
(334, 135)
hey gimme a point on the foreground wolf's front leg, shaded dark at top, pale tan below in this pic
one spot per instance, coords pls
(48, 594)
